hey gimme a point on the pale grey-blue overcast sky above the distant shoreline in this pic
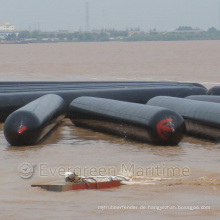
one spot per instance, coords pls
(53, 15)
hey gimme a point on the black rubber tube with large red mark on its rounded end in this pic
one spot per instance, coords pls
(141, 122)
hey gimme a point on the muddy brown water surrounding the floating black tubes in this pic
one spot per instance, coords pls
(168, 182)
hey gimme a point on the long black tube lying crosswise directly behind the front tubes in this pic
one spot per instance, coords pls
(10, 102)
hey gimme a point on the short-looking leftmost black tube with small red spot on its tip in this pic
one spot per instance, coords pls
(29, 124)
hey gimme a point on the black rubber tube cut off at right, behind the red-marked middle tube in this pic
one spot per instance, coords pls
(201, 118)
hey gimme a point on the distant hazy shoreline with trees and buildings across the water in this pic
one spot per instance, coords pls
(24, 37)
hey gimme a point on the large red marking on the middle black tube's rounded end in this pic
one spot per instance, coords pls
(165, 128)
